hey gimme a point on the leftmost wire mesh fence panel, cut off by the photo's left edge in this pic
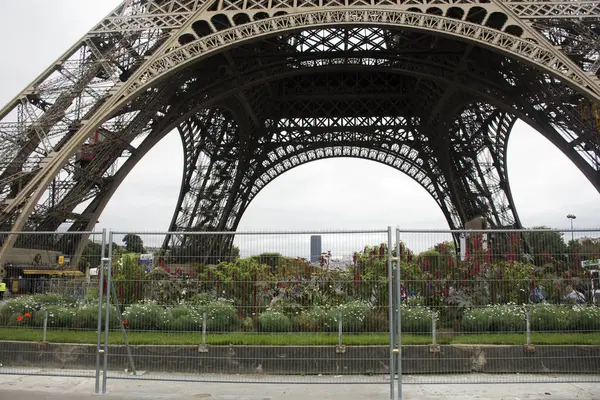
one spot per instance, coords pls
(50, 304)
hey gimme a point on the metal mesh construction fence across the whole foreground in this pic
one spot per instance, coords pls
(324, 307)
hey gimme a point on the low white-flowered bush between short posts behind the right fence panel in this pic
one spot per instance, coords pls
(496, 318)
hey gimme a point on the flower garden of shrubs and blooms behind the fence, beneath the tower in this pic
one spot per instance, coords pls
(290, 301)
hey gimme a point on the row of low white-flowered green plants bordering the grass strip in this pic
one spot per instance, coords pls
(357, 317)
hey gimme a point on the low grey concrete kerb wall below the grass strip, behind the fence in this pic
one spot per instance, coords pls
(309, 360)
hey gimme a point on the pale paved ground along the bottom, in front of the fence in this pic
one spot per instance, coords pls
(60, 388)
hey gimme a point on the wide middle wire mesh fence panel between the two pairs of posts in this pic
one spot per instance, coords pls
(254, 307)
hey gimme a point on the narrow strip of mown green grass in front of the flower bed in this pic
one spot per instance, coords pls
(299, 339)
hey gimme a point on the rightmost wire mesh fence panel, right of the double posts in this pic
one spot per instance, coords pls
(501, 306)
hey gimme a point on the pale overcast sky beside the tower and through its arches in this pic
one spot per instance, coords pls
(330, 194)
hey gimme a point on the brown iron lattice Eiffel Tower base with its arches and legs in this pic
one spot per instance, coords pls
(257, 87)
